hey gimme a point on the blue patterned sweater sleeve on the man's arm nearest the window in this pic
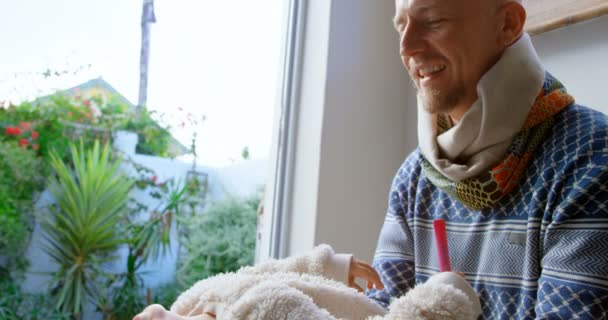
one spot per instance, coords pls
(394, 257)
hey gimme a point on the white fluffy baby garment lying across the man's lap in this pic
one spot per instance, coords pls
(296, 288)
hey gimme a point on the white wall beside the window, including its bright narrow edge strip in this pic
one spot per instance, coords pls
(367, 128)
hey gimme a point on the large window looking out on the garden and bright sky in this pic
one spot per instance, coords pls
(194, 137)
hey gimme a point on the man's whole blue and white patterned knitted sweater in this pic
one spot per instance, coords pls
(540, 253)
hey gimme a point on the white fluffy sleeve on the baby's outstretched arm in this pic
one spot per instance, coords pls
(321, 261)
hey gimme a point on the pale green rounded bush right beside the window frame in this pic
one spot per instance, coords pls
(221, 239)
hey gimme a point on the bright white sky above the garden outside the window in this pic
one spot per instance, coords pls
(214, 58)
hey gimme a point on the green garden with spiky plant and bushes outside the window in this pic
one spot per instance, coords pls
(63, 146)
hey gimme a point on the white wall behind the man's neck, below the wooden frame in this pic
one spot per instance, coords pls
(578, 56)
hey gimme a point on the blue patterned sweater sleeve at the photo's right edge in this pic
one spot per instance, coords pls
(573, 283)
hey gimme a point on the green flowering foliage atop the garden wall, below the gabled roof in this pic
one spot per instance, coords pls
(62, 118)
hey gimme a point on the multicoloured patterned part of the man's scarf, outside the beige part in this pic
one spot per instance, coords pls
(484, 190)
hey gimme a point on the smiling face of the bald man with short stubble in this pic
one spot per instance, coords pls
(446, 46)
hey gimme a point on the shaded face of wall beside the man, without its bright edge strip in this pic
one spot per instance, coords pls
(368, 125)
